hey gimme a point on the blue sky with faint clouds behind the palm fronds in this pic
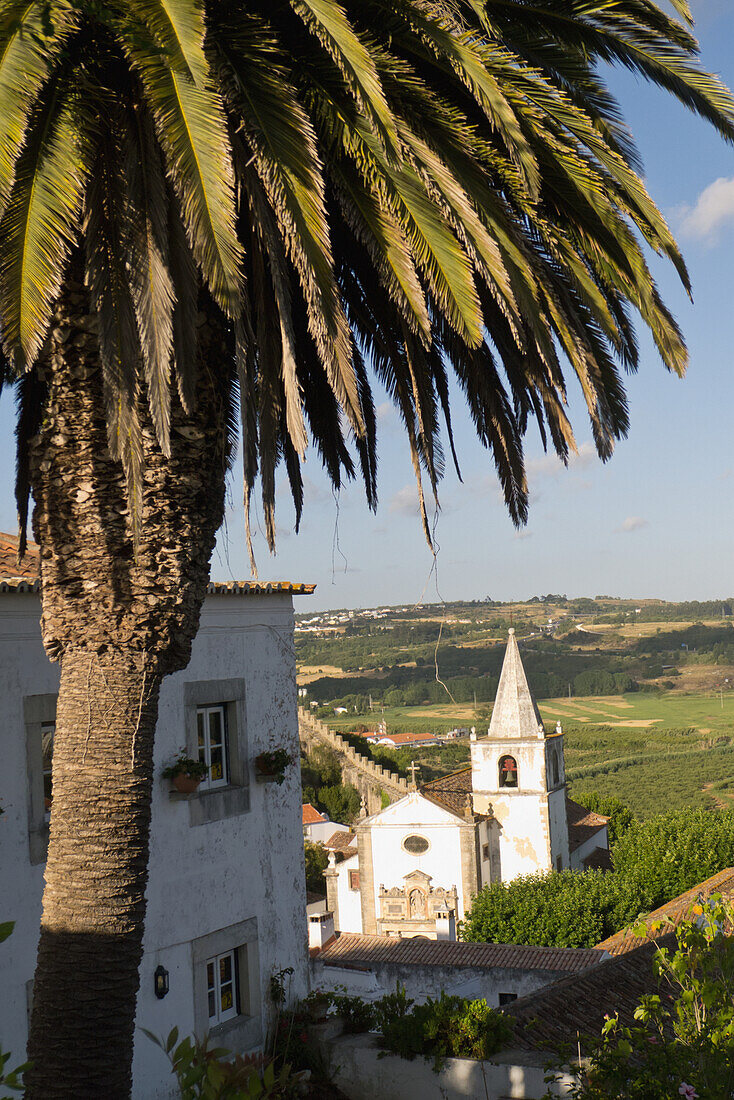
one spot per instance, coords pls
(658, 521)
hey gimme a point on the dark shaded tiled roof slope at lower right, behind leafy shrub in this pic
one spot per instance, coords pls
(575, 1008)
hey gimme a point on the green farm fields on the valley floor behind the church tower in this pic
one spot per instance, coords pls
(654, 752)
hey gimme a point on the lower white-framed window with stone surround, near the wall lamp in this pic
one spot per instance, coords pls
(227, 995)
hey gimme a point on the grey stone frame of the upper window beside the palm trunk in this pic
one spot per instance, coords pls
(217, 802)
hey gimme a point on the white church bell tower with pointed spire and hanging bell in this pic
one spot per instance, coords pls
(519, 780)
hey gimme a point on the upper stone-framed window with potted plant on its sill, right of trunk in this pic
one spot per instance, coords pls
(216, 733)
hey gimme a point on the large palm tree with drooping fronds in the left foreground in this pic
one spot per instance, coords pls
(223, 205)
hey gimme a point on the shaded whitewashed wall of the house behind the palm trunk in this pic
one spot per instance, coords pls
(202, 878)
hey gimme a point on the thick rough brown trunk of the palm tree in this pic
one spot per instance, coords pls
(119, 619)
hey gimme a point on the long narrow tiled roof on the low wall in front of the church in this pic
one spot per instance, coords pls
(349, 949)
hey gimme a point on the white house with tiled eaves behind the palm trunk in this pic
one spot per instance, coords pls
(227, 873)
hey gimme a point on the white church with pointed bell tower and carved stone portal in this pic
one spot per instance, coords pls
(413, 868)
